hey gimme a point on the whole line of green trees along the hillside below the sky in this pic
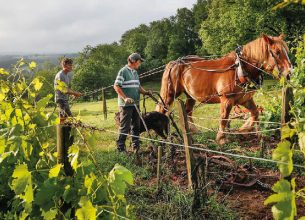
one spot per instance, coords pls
(210, 27)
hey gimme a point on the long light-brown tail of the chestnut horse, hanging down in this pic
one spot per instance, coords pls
(166, 89)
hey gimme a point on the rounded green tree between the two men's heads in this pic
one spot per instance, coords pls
(98, 66)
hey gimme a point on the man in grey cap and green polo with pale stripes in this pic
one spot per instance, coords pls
(127, 85)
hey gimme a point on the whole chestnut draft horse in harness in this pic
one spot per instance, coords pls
(224, 80)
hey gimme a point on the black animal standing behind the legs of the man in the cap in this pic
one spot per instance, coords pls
(153, 120)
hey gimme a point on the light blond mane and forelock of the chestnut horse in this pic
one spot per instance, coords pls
(258, 49)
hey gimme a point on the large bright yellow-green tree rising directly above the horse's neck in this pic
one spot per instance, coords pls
(237, 22)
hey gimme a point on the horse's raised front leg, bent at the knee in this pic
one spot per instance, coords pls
(249, 124)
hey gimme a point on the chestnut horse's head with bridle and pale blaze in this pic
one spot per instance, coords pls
(277, 56)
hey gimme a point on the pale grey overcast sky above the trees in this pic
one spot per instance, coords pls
(61, 26)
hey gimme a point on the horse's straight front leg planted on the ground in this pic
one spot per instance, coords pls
(225, 108)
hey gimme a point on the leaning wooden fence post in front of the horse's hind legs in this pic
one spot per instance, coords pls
(187, 142)
